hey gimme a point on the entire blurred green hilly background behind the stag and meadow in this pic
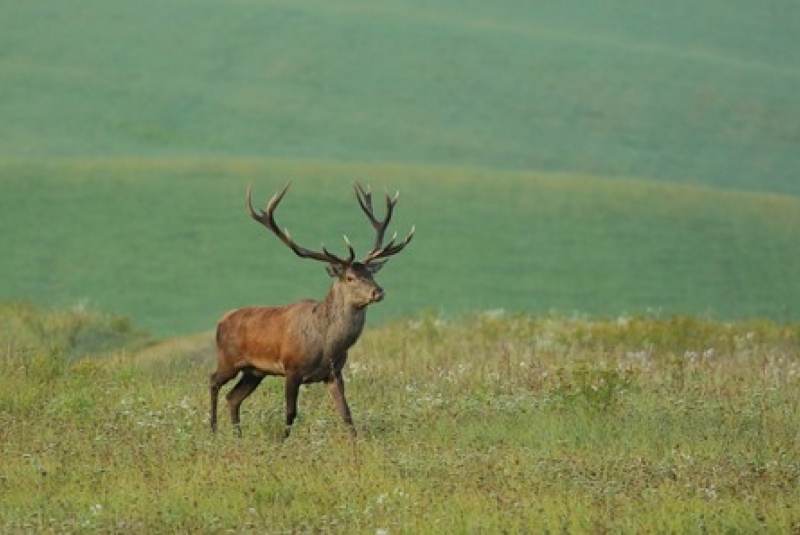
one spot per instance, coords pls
(571, 157)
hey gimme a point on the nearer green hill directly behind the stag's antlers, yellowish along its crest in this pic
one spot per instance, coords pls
(169, 243)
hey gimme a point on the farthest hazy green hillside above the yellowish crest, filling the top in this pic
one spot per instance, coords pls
(671, 91)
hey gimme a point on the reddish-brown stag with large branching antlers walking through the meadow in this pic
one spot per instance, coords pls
(307, 341)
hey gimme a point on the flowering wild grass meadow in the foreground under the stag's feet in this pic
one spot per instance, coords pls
(492, 424)
